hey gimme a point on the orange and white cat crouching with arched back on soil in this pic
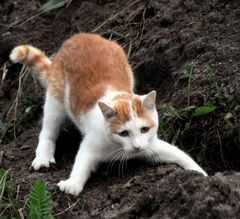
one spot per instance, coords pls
(90, 80)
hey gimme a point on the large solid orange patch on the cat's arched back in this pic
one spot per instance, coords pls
(90, 65)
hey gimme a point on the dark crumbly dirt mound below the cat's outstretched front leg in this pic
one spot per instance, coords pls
(188, 195)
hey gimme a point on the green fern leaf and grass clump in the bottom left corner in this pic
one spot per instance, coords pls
(39, 203)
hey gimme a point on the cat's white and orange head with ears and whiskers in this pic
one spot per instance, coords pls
(131, 121)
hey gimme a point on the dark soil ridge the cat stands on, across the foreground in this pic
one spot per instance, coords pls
(139, 190)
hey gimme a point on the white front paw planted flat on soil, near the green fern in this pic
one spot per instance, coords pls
(71, 186)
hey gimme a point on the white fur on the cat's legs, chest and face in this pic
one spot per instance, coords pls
(99, 144)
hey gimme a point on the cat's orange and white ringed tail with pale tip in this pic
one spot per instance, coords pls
(35, 59)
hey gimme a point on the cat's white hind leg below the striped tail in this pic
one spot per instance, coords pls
(52, 119)
